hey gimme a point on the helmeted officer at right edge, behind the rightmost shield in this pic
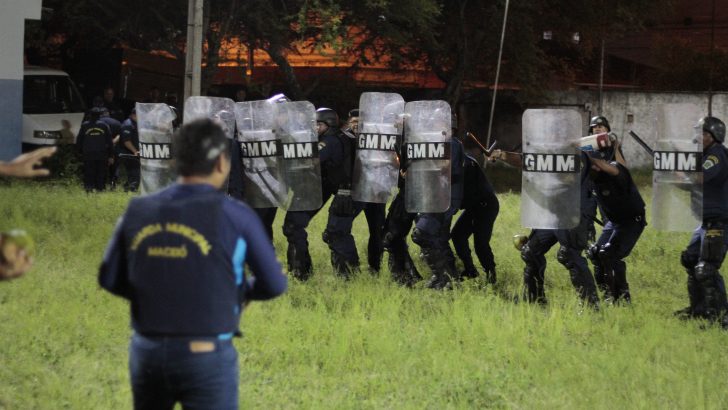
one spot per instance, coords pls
(706, 251)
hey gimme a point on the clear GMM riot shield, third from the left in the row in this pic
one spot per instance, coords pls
(263, 183)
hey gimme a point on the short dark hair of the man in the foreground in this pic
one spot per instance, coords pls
(197, 145)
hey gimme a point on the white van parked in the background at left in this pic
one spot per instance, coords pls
(52, 108)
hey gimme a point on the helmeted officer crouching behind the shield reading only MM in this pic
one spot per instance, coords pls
(335, 154)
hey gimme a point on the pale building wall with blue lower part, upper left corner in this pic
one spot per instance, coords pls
(13, 14)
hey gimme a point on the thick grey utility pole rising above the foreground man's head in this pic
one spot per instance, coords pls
(193, 58)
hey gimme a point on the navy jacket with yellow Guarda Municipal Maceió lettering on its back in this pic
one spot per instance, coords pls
(179, 255)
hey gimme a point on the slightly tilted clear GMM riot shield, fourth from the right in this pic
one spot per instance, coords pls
(376, 166)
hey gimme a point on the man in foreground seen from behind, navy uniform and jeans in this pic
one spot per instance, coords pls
(178, 256)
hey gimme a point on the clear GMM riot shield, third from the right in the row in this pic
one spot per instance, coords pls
(427, 155)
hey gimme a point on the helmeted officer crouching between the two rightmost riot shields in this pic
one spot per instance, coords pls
(622, 207)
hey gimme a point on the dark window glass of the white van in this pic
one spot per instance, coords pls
(50, 94)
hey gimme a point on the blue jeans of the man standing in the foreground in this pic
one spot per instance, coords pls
(199, 372)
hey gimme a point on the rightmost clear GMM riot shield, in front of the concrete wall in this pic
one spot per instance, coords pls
(677, 172)
